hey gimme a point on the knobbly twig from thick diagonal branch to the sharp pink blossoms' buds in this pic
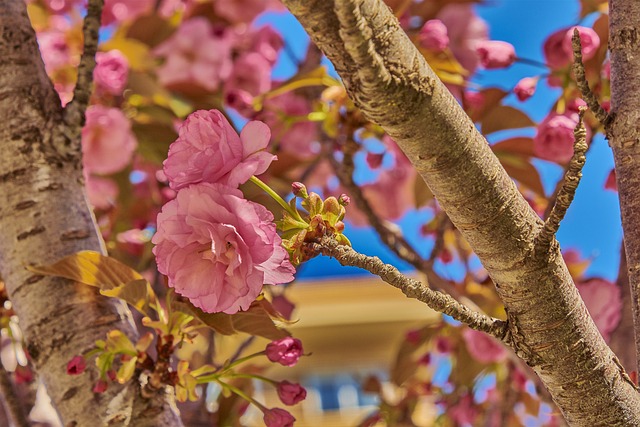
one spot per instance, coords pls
(412, 288)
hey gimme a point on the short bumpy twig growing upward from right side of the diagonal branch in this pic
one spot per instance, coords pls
(569, 185)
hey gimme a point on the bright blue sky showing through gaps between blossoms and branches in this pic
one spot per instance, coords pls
(592, 224)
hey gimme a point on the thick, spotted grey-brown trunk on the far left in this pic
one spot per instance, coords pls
(44, 217)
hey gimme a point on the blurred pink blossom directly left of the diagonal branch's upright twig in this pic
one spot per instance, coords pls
(554, 139)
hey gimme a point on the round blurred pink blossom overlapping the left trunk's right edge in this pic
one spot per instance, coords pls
(107, 140)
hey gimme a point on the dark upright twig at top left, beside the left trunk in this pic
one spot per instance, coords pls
(74, 111)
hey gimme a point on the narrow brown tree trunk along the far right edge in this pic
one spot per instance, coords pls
(624, 133)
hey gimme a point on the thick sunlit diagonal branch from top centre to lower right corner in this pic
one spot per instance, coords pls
(549, 326)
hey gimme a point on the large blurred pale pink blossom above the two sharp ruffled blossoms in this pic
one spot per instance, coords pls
(195, 54)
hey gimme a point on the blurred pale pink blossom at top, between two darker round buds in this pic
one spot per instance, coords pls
(464, 29)
